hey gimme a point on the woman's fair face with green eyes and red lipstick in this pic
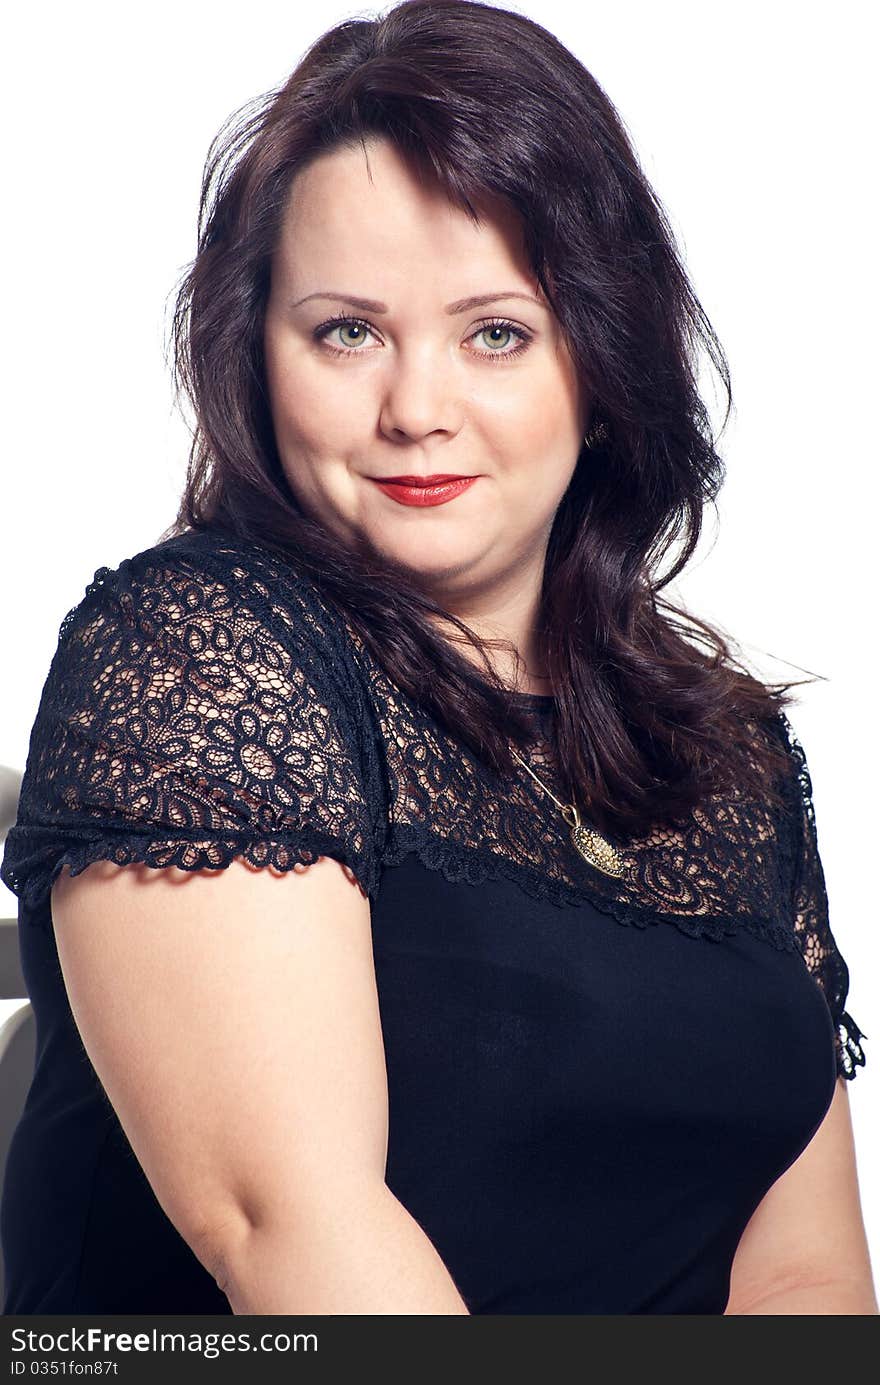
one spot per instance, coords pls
(418, 383)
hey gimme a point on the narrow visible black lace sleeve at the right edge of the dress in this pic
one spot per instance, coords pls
(811, 916)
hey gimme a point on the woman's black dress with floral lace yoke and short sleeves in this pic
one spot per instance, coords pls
(592, 1081)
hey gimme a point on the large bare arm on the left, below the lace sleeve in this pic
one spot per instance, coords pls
(234, 1021)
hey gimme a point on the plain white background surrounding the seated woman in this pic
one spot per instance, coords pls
(755, 125)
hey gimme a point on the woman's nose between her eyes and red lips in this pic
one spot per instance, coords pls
(421, 395)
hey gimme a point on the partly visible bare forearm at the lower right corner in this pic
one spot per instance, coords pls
(804, 1250)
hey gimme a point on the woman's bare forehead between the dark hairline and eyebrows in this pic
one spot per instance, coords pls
(372, 215)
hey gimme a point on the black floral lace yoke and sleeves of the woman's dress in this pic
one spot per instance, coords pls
(206, 704)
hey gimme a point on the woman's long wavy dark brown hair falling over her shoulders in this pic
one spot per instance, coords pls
(653, 710)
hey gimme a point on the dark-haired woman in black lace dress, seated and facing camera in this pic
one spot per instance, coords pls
(418, 920)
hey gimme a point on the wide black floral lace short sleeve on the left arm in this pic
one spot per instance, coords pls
(191, 718)
